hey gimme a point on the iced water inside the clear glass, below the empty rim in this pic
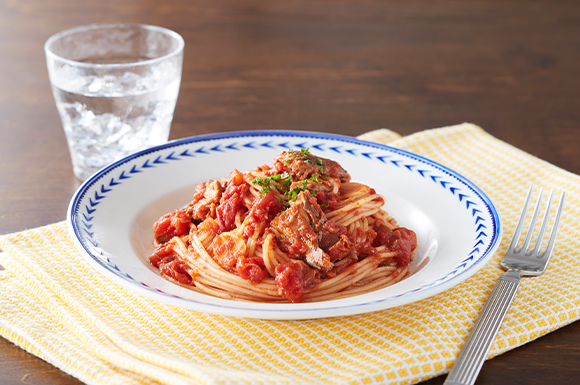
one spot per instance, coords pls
(108, 117)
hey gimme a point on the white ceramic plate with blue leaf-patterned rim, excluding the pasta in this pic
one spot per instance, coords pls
(111, 215)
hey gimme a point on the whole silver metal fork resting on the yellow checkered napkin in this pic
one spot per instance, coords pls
(518, 262)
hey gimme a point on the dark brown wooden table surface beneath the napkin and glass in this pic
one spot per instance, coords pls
(340, 66)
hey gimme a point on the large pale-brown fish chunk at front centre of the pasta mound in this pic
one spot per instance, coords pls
(297, 231)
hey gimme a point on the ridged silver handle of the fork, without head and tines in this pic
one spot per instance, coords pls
(476, 348)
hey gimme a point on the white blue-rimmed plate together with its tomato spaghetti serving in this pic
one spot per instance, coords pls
(282, 225)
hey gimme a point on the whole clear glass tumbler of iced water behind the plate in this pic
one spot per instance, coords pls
(115, 87)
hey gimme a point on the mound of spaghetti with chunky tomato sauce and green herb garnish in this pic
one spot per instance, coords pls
(296, 231)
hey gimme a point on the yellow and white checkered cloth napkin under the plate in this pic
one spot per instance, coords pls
(56, 307)
